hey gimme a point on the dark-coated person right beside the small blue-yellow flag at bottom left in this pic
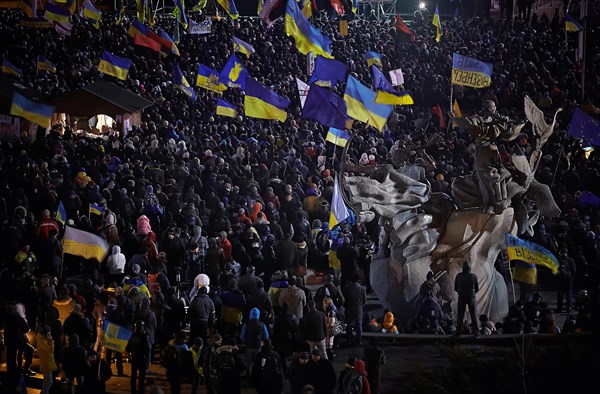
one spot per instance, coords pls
(138, 348)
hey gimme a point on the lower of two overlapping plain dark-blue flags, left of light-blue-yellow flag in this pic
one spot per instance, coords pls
(325, 107)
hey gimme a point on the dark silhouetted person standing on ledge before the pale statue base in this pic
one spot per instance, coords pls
(466, 285)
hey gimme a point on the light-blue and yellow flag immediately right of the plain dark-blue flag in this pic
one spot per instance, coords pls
(360, 103)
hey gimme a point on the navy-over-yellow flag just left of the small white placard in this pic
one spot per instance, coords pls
(261, 102)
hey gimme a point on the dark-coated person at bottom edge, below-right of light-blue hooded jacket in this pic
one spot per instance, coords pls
(267, 371)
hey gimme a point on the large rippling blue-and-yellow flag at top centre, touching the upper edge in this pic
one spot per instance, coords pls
(307, 37)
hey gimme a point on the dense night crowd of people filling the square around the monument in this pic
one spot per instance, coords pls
(239, 207)
